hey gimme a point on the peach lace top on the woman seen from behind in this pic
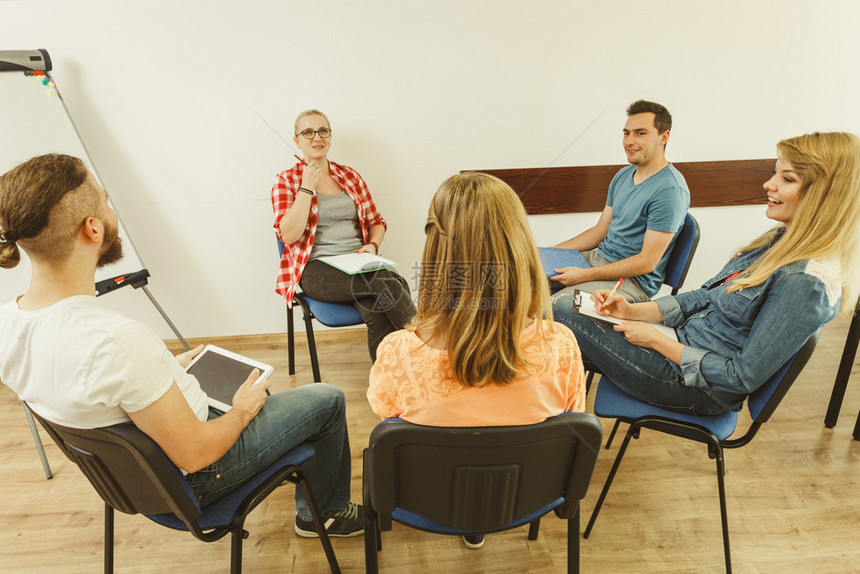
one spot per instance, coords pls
(413, 381)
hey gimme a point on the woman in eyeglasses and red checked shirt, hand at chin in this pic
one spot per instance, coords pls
(323, 208)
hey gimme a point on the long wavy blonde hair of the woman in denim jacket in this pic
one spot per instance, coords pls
(827, 221)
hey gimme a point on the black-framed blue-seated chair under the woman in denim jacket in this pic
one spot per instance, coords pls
(714, 431)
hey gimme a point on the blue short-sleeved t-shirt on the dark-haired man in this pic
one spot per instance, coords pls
(659, 203)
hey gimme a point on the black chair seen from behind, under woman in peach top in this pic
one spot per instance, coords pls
(462, 481)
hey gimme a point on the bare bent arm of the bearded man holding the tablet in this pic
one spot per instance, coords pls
(190, 443)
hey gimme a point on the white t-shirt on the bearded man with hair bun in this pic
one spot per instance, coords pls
(82, 365)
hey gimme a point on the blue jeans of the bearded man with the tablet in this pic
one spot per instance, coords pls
(314, 414)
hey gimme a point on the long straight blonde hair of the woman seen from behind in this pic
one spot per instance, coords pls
(481, 278)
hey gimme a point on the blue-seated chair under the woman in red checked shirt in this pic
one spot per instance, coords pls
(329, 314)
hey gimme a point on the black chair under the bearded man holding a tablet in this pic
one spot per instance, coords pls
(133, 475)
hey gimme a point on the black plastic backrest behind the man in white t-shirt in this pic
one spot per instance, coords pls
(127, 468)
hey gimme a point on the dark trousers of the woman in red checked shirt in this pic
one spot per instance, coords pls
(382, 297)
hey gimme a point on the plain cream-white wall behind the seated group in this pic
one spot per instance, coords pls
(164, 94)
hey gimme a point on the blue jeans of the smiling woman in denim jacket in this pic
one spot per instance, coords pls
(640, 372)
